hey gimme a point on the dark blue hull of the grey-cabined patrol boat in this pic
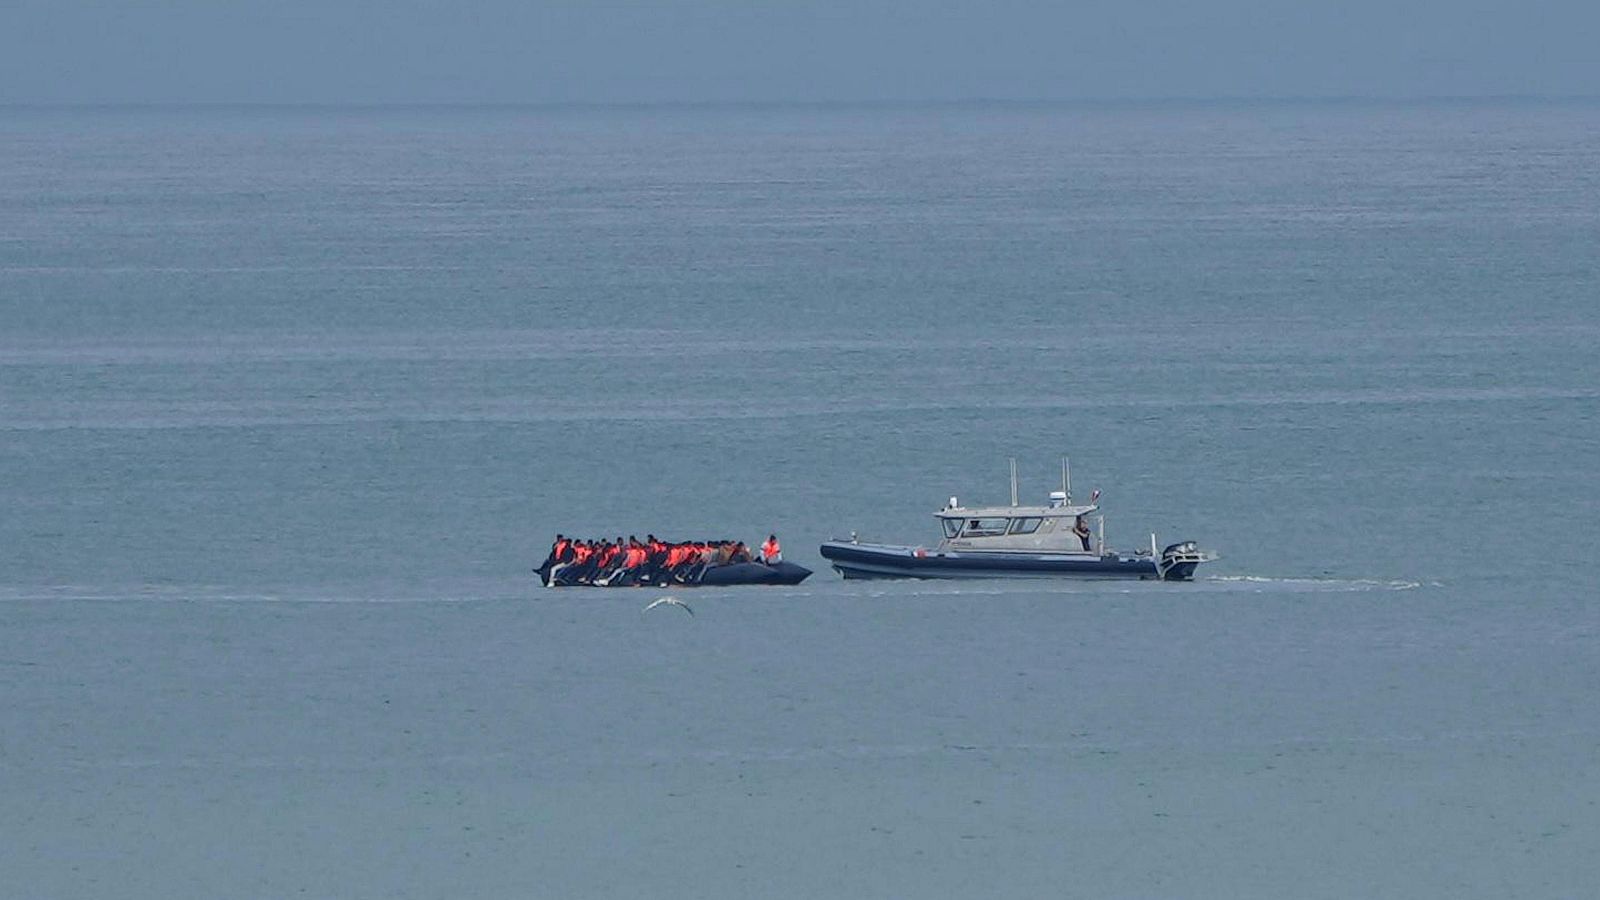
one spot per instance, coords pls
(886, 561)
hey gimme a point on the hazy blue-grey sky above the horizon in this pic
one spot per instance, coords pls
(722, 50)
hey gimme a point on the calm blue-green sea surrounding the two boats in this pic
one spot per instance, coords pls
(294, 400)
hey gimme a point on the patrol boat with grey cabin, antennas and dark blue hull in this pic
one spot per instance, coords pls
(1018, 542)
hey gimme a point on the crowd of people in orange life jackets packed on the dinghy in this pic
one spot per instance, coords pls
(634, 563)
